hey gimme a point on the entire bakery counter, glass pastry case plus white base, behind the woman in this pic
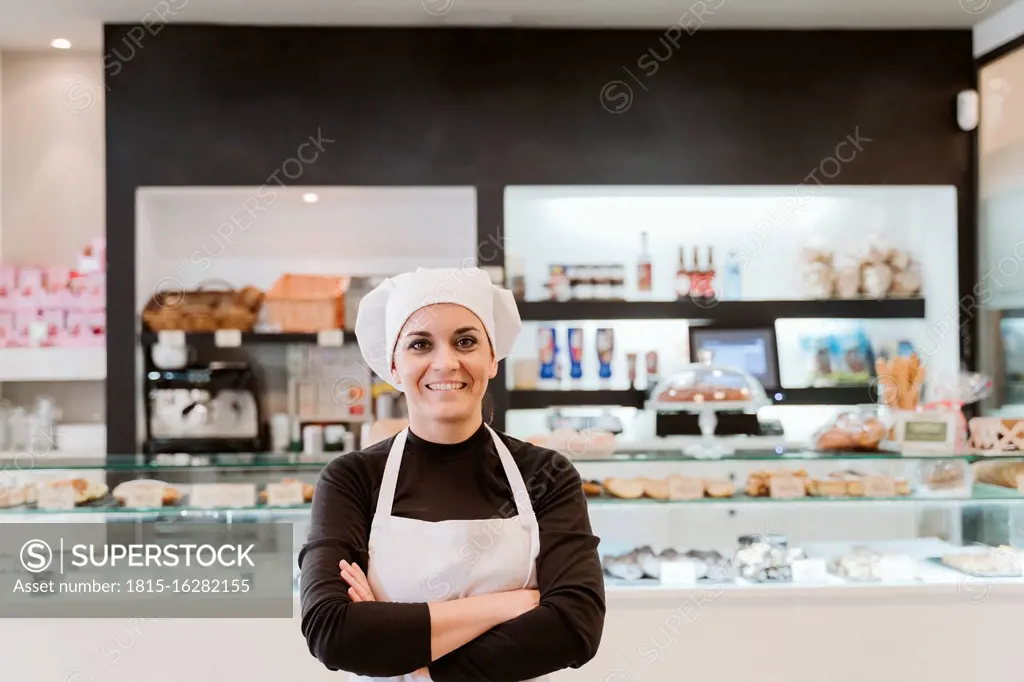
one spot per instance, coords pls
(802, 566)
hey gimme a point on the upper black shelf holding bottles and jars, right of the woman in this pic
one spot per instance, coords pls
(742, 313)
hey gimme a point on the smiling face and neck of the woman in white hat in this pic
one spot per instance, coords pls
(443, 362)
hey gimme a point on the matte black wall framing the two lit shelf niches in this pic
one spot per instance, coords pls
(196, 106)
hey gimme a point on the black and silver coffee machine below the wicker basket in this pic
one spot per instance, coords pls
(210, 409)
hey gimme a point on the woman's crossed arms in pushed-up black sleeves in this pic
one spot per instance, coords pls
(501, 637)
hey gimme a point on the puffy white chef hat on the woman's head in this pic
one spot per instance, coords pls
(386, 310)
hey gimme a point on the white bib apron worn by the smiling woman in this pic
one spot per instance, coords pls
(416, 562)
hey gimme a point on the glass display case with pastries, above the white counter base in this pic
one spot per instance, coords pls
(752, 520)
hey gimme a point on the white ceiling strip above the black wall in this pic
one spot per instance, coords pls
(32, 24)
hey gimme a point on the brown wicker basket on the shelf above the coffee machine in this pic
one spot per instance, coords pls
(203, 310)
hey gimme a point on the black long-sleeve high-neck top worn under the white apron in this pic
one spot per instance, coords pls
(440, 483)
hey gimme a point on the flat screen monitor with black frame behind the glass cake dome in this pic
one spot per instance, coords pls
(751, 350)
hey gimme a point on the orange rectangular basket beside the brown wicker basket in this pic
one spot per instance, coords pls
(307, 304)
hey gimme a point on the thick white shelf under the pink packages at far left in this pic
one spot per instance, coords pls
(54, 364)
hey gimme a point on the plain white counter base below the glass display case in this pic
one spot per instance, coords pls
(965, 629)
